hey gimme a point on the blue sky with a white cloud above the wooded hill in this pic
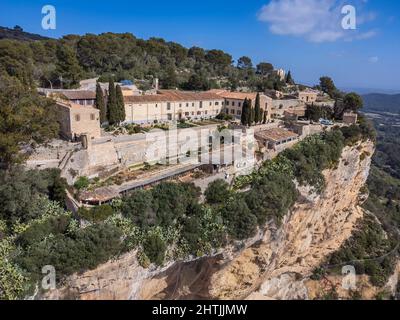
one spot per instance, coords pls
(304, 36)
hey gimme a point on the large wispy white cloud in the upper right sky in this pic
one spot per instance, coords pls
(315, 20)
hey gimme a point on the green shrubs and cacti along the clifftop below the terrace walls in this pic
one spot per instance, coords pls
(163, 223)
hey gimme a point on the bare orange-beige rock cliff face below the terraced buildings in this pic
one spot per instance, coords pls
(270, 269)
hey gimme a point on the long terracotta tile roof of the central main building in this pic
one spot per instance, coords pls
(173, 95)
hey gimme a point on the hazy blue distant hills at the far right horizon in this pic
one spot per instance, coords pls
(382, 102)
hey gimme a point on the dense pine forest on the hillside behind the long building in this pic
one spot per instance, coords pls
(63, 62)
